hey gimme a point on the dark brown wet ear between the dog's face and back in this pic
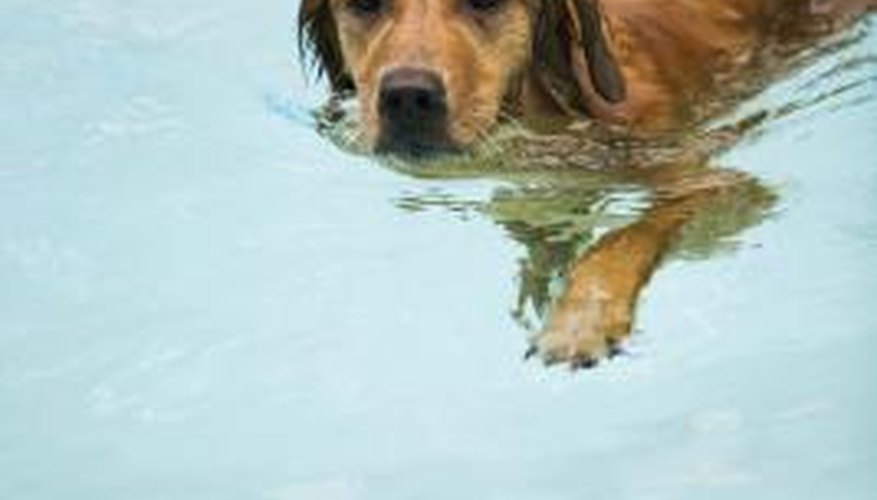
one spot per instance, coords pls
(565, 26)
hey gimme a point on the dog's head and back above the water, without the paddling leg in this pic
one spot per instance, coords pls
(437, 74)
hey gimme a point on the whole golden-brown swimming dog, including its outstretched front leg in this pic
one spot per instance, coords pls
(436, 76)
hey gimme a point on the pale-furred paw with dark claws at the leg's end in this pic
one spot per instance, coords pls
(582, 332)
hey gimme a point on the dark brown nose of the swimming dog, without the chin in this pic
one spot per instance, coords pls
(412, 98)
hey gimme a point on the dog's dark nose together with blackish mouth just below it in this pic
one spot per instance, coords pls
(413, 110)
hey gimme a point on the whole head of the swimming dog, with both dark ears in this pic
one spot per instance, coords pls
(433, 75)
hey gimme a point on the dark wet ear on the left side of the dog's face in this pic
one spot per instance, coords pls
(318, 39)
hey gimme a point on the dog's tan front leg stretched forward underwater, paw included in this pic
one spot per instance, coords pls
(595, 312)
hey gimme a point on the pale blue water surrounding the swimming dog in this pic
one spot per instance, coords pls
(201, 298)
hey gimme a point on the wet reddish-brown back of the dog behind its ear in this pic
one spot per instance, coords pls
(671, 52)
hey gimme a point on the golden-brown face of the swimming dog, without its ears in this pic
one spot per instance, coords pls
(431, 74)
